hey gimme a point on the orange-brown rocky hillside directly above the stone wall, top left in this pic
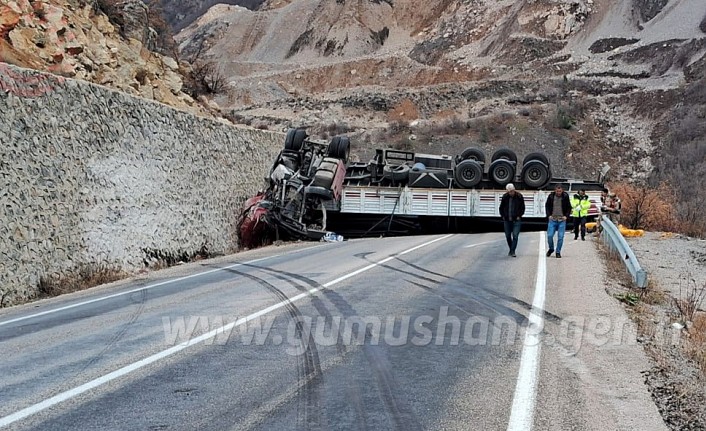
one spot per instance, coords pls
(77, 39)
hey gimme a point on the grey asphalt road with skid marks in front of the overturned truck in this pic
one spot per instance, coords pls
(398, 333)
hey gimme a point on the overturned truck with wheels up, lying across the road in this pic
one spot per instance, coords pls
(313, 188)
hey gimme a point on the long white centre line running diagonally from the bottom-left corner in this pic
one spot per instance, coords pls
(63, 396)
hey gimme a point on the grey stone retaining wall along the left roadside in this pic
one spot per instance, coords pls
(94, 178)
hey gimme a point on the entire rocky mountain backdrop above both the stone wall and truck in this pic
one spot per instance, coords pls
(587, 81)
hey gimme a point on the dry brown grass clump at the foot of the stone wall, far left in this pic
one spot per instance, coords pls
(83, 278)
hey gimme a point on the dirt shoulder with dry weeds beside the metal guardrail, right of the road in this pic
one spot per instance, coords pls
(674, 339)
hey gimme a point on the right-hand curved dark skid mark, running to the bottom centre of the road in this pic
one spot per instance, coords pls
(400, 412)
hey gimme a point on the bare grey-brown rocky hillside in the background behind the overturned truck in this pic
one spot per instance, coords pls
(588, 81)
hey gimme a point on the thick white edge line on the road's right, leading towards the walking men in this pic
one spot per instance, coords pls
(523, 403)
